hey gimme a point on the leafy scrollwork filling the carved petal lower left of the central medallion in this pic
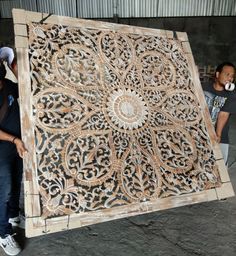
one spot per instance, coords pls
(88, 158)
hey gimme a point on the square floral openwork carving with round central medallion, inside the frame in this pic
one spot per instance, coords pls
(116, 120)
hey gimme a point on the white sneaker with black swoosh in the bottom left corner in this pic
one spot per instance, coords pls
(9, 245)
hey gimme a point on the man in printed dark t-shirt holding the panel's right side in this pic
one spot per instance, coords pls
(221, 103)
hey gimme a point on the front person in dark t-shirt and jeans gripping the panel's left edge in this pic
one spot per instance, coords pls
(11, 152)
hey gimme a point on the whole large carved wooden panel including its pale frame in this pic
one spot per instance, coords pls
(115, 122)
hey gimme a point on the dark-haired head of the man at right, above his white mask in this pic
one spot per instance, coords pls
(225, 73)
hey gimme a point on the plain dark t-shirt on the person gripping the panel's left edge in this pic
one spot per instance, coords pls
(11, 121)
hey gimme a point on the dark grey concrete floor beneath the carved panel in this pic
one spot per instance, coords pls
(201, 229)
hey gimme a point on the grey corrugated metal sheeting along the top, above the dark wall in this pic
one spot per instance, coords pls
(123, 8)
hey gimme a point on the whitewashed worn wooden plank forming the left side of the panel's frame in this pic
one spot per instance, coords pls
(32, 199)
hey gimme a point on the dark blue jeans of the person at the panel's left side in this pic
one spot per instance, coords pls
(11, 170)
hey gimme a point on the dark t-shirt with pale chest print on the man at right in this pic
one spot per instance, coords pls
(219, 101)
